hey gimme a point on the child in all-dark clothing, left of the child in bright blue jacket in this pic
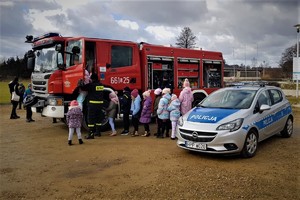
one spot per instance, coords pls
(126, 105)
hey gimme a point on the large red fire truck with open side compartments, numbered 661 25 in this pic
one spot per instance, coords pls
(118, 64)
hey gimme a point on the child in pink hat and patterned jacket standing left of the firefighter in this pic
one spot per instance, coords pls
(74, 119)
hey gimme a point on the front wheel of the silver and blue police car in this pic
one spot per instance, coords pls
(250, 145)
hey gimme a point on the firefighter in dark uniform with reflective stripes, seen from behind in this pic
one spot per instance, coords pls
(94, 104)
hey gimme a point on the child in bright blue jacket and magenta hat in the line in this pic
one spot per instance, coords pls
(136, 111)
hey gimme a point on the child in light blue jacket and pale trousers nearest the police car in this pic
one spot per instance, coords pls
(174, 109)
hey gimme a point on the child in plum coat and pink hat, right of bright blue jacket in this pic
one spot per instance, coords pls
(146, 112)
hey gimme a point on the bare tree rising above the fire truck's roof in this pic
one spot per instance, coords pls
(186, 39)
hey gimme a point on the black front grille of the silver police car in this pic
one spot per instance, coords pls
(197, 136)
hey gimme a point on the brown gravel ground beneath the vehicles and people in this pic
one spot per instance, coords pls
(37, 163)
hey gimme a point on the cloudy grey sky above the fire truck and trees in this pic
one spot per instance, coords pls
(241, 29)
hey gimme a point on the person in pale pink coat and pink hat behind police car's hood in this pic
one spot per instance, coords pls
(186, 97)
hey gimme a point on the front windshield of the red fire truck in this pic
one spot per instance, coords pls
(47, 60)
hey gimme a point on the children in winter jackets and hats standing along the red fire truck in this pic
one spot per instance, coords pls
(167, 108)
